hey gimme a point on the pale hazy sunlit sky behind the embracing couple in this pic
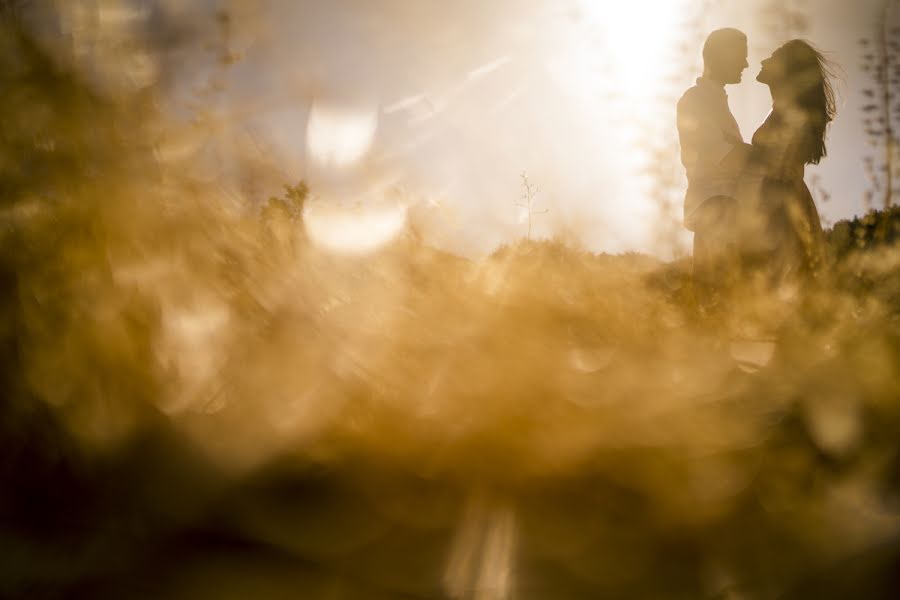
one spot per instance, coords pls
(449, 102)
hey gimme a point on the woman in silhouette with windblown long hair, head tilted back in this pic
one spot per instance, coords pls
(781, 227)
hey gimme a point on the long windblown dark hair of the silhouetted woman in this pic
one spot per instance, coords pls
(808, 79)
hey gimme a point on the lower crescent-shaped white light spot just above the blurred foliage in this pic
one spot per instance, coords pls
(353, 230)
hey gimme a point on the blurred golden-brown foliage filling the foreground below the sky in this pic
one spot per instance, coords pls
(198, 402)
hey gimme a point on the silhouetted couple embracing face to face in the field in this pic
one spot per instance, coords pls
(747, 204)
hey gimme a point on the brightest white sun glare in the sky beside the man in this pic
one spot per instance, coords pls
(613, 61)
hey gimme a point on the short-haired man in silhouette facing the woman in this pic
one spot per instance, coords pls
(712, 150)
